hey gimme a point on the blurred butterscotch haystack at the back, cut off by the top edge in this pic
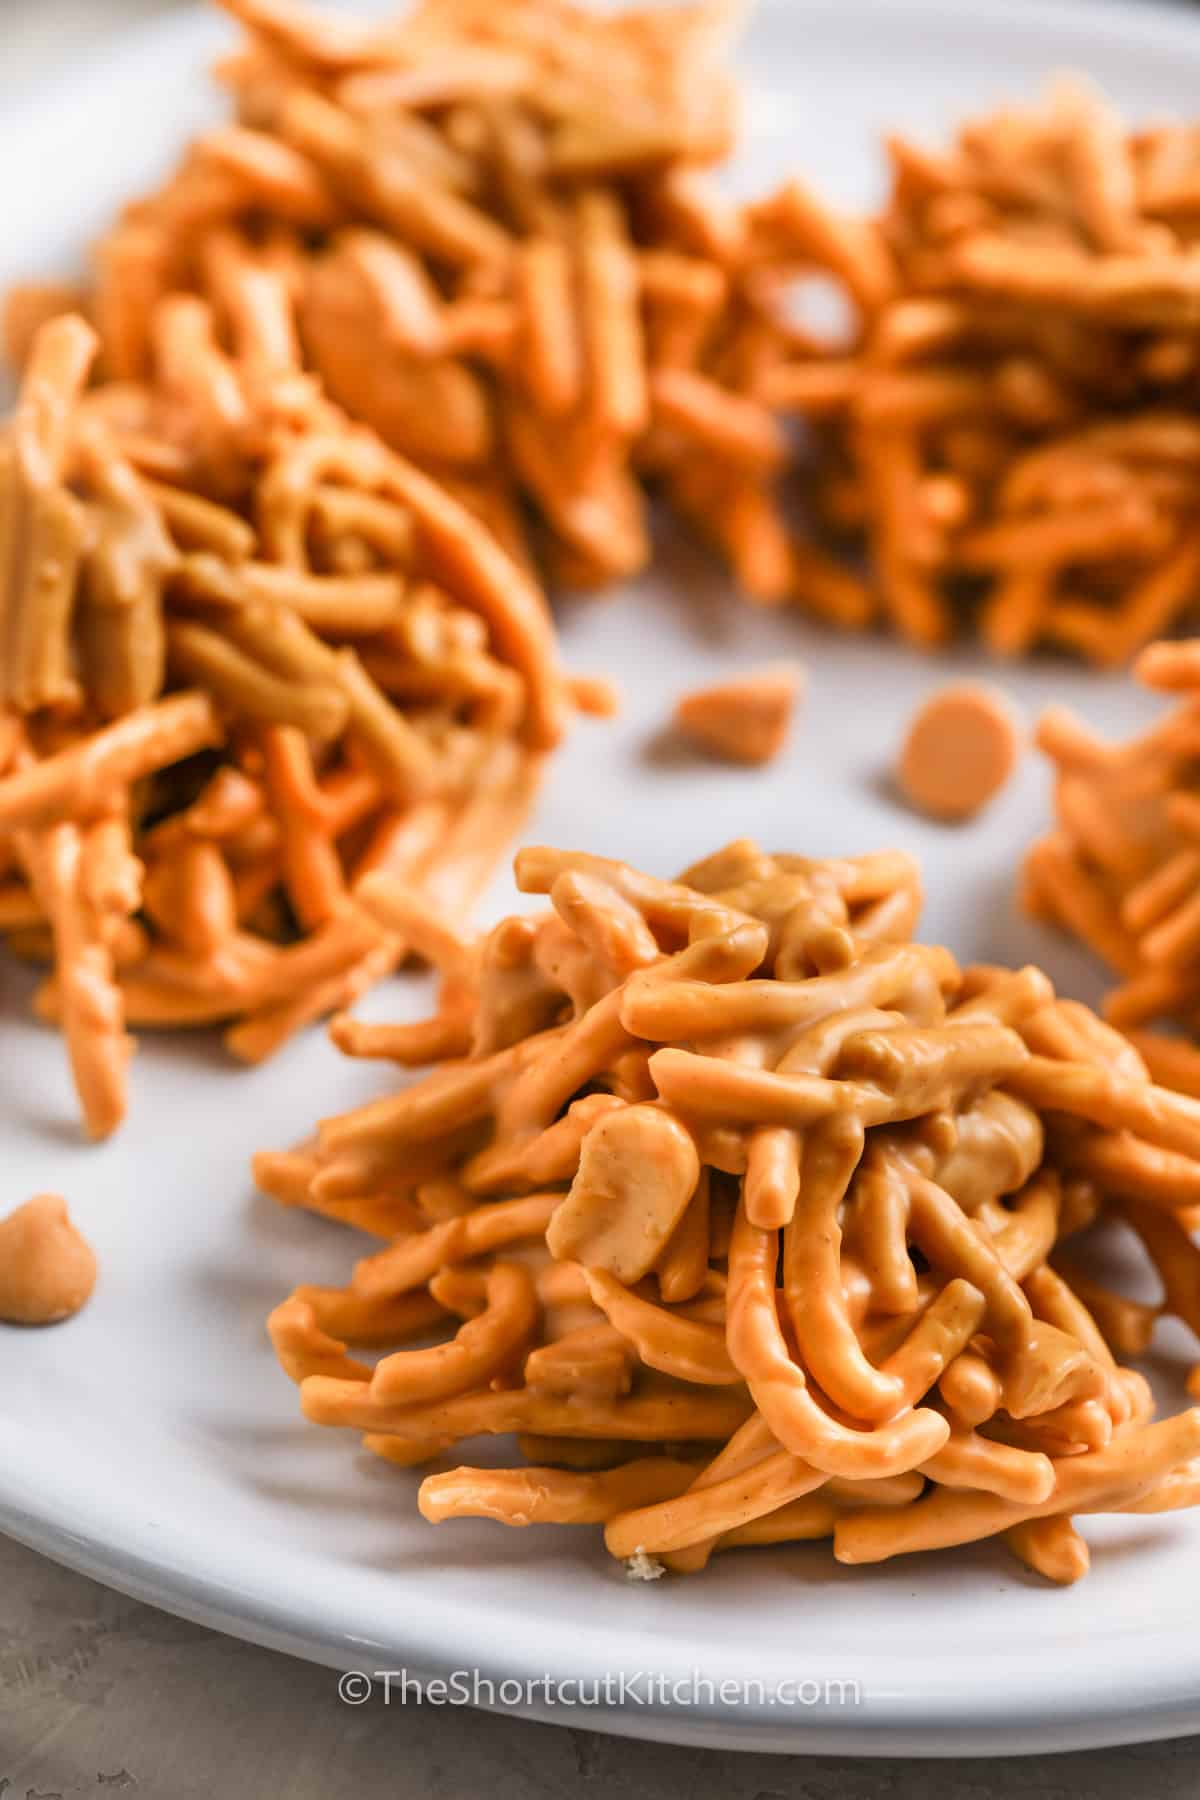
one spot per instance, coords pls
(497, 249)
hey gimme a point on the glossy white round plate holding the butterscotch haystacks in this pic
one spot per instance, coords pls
(154, 1443)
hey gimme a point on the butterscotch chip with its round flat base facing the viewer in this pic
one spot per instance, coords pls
(960, 751)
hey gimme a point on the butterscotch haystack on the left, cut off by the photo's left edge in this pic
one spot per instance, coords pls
(249, 656)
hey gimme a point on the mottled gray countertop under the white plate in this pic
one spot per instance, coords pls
(103, 1695)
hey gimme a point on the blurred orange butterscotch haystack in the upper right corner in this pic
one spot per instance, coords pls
(1016, 435)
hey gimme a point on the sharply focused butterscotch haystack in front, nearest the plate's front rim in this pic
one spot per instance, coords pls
(746, 1216)
